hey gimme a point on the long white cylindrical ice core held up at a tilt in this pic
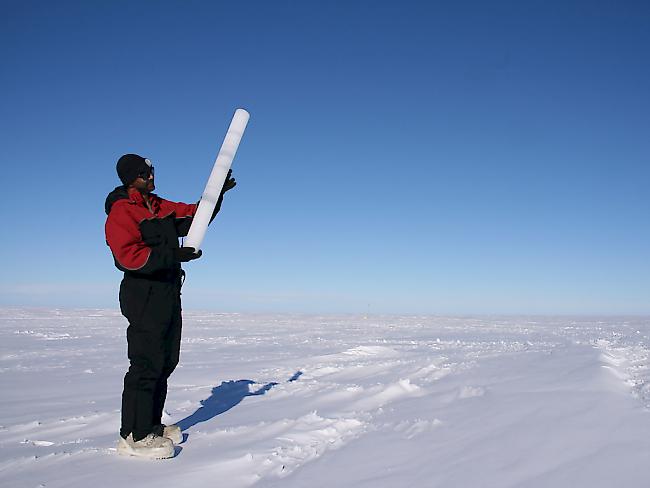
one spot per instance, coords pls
(217, 178)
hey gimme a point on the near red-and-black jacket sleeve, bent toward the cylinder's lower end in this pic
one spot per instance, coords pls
(131, 253)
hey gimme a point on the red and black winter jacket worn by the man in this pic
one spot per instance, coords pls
(144, 240)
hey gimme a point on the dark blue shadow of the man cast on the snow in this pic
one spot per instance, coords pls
(224, 397)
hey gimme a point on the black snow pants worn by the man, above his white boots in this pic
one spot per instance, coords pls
(152, 305)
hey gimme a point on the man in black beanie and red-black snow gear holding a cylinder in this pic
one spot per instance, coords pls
(142, 231)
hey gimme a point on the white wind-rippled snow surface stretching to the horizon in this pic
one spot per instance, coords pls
(335, 401)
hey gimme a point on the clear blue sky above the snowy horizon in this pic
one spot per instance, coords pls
(406, 157)
